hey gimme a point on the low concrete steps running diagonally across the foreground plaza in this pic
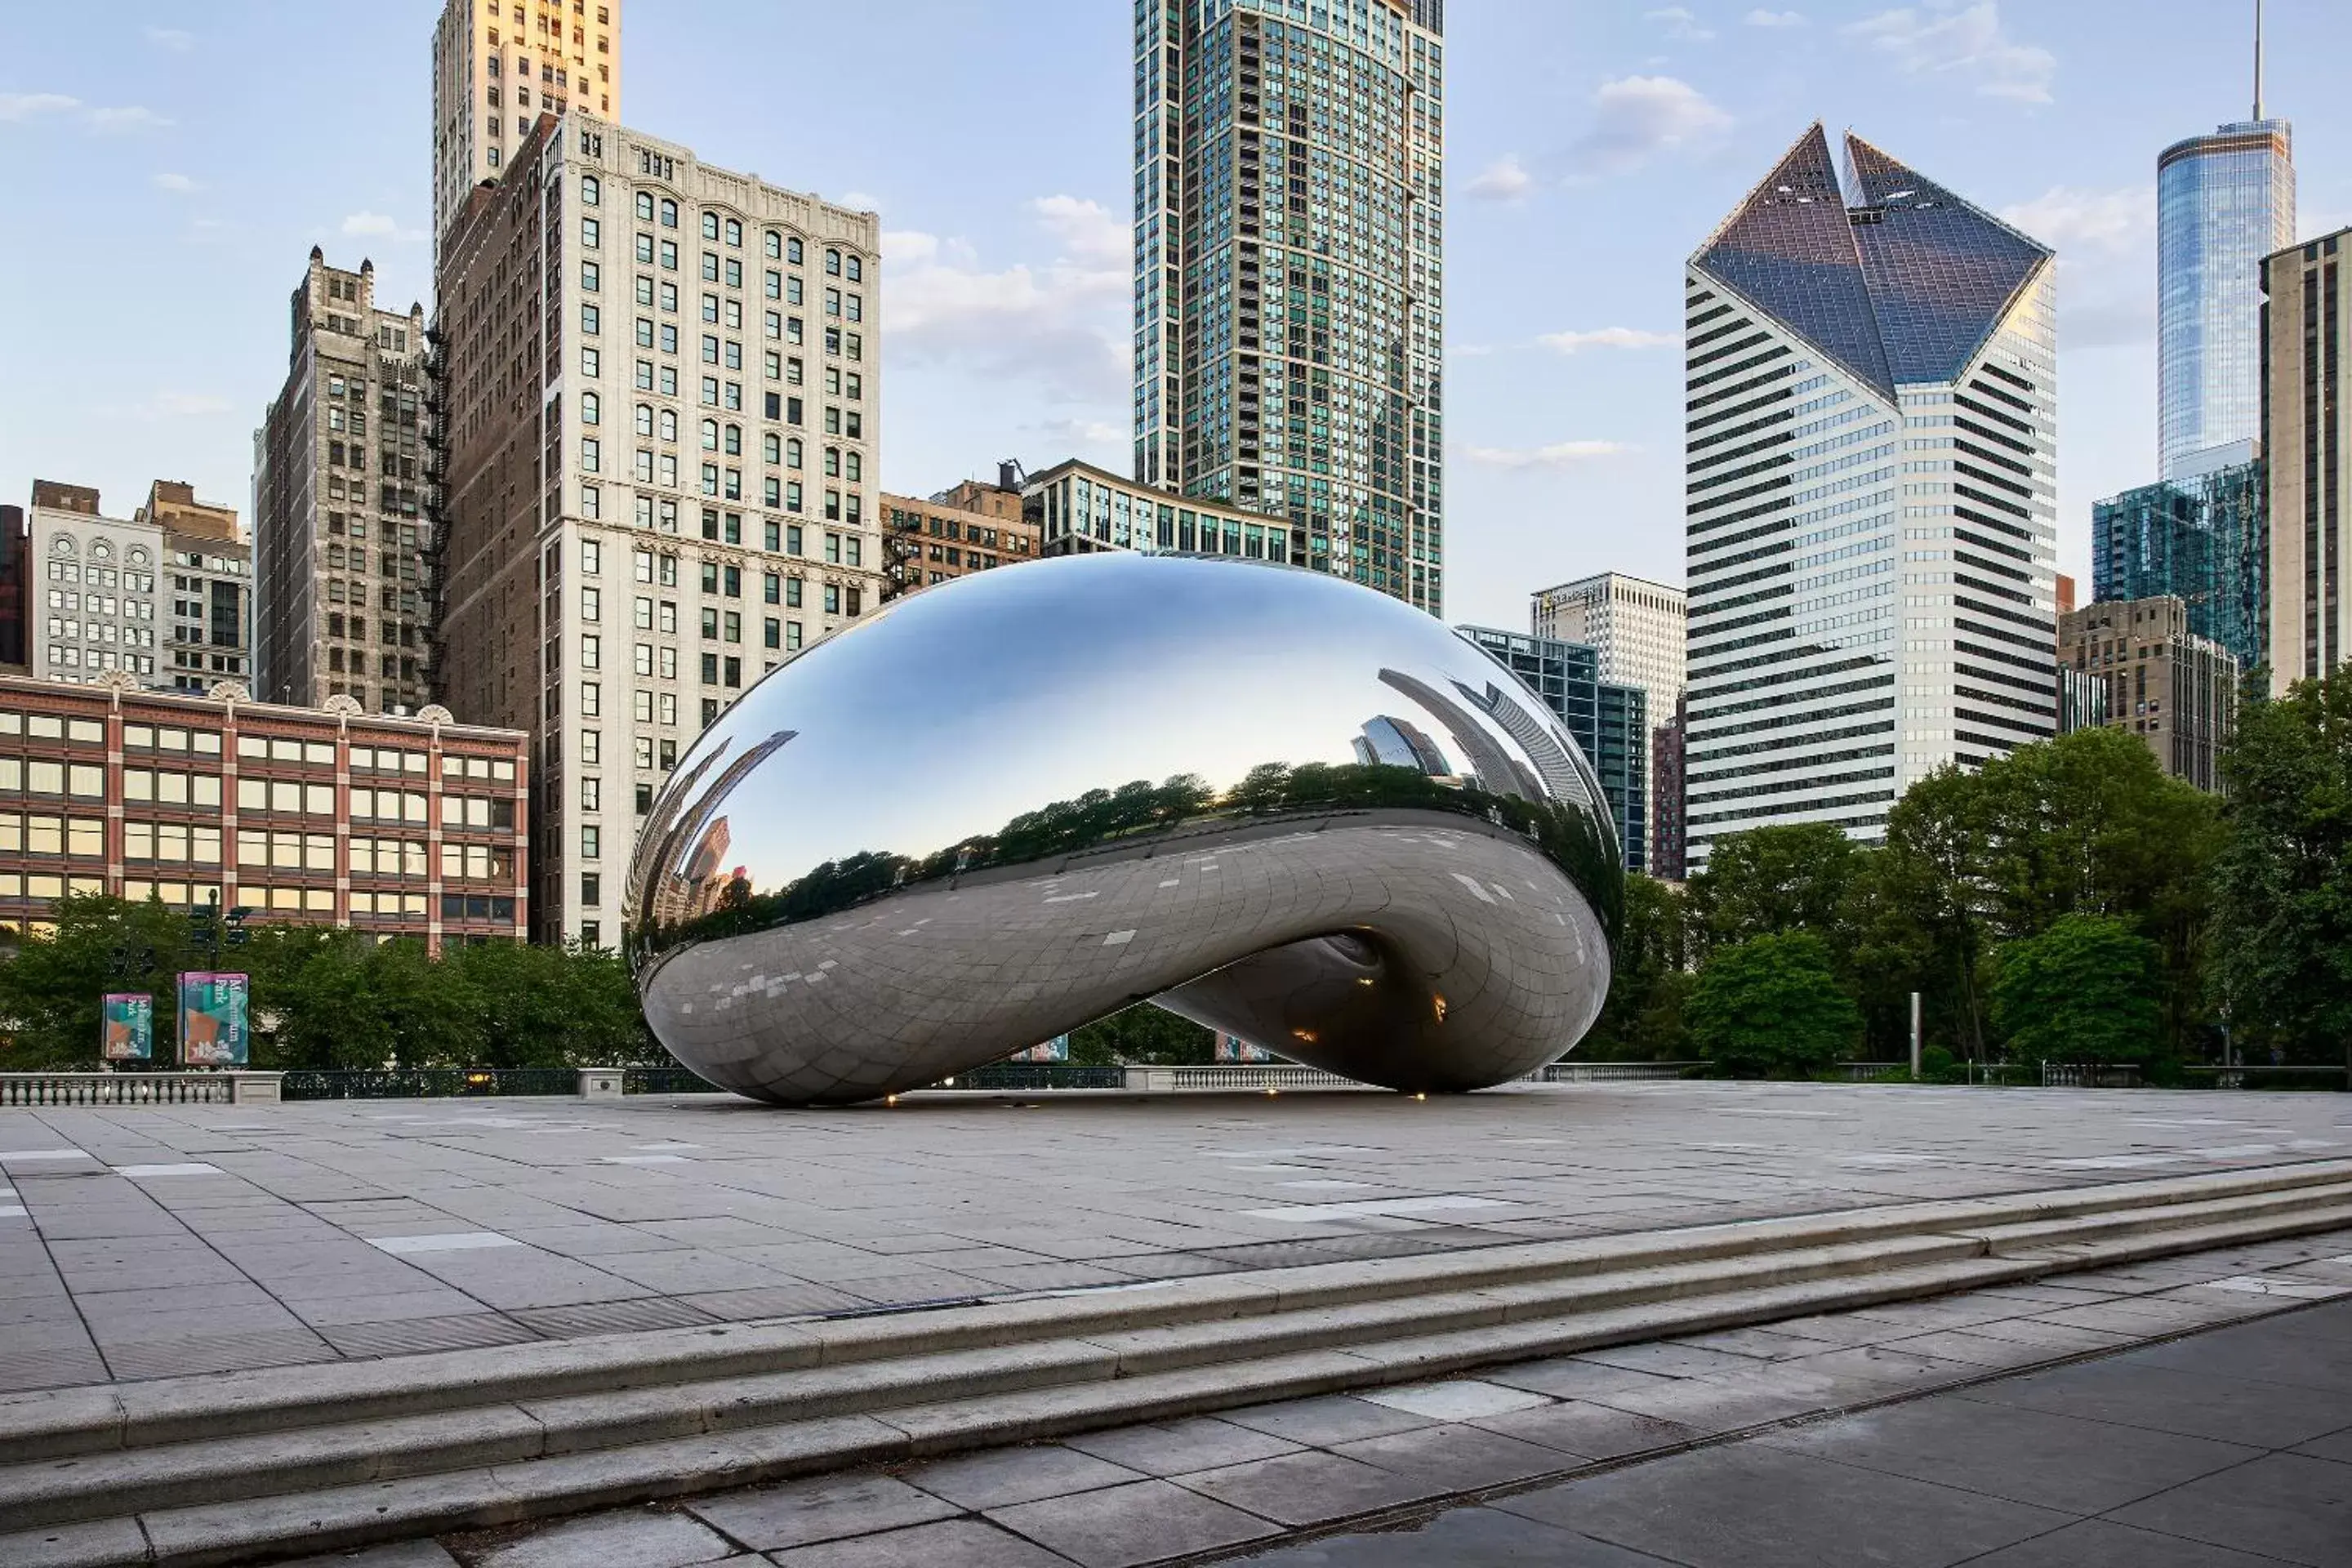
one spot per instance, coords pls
(288, 1470)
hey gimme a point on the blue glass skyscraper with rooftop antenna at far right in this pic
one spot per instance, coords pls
(2224, 203)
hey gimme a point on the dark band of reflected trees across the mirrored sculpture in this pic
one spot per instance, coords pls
(1137, 815)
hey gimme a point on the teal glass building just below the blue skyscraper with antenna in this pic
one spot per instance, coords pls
(2203, 540)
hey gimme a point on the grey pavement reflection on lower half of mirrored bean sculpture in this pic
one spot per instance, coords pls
(1474, 920)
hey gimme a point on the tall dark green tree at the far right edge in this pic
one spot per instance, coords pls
(2283, 887)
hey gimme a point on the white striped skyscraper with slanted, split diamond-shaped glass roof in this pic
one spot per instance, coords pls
(1873, 509)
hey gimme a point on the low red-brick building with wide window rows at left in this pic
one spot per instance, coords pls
(295, 815)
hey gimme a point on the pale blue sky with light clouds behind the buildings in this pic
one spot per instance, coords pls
(168, 168)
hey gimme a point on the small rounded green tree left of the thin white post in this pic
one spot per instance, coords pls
(1772, 1007)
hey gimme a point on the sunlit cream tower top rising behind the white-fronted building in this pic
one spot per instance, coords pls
(497, 67)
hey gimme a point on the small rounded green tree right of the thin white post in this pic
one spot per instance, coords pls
(2085, 991)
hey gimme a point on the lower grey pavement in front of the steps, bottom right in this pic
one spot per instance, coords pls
(2179, 1414)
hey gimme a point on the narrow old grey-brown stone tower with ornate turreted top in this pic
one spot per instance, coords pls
(340, 476)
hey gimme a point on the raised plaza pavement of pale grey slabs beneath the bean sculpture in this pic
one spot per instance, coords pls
(142, 1242)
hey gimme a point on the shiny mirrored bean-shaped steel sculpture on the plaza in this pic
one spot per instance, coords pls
(1262, 798)
